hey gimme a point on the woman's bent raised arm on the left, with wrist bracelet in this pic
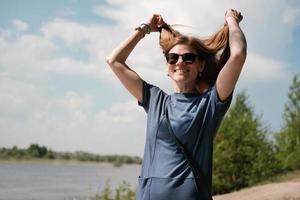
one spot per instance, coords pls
(117, 59)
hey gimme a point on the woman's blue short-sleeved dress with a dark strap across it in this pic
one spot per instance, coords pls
(194, 118)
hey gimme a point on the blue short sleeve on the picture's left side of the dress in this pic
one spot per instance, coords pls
(151, 95)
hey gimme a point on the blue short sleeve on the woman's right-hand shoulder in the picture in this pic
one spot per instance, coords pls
(221, 107)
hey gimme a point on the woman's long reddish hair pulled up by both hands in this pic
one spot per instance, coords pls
(213, 50)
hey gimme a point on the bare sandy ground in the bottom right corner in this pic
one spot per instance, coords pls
(275, 191)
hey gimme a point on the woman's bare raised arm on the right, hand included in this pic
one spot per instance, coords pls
(229, 74)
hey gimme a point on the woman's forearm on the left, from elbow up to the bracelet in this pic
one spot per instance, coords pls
(121, 53)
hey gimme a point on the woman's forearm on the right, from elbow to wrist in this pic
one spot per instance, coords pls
(237, 40)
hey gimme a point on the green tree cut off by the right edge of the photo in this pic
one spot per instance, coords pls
(288, 139)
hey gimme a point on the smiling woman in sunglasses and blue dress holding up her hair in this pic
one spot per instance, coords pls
(177, 162)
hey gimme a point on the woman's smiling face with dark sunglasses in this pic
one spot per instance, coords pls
(180, 71)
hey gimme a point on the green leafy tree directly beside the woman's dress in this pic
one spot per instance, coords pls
(242, 153)
